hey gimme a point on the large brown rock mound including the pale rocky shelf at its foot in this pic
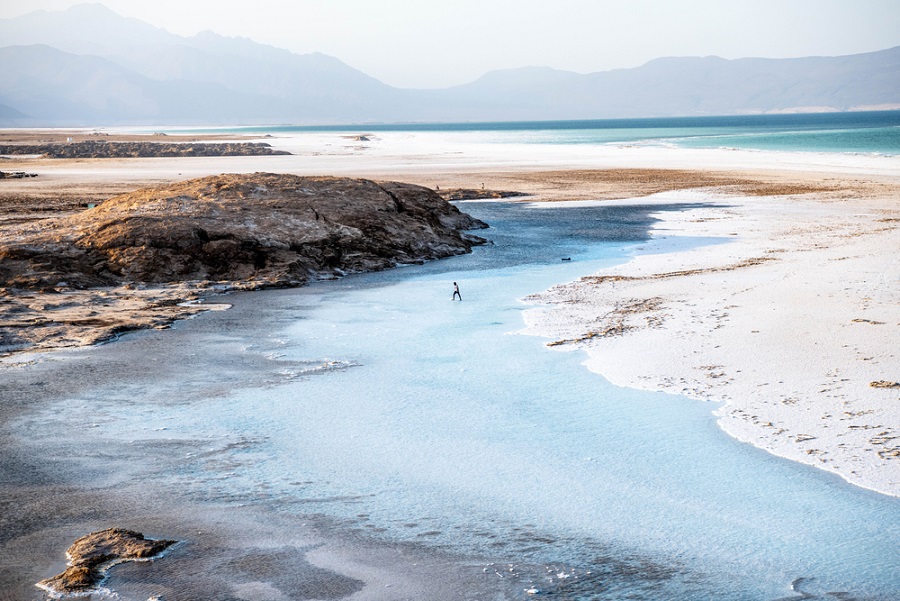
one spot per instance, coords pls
(132, 262)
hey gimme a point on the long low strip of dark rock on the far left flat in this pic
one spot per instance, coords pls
(102, 149)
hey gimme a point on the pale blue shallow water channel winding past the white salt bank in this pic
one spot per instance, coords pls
(434, 422)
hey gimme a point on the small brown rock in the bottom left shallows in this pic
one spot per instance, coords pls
(90, 556)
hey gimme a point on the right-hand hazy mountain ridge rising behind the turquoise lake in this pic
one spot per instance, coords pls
(700, 86)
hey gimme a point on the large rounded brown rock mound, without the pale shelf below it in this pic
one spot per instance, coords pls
(256, 230)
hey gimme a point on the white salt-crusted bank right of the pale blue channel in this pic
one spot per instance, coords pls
(793, 320)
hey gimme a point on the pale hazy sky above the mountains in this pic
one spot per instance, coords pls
(440, 43)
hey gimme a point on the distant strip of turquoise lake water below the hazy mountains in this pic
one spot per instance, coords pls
(876, 132)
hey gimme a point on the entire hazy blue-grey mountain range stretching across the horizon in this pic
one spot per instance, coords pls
(89, 66)
